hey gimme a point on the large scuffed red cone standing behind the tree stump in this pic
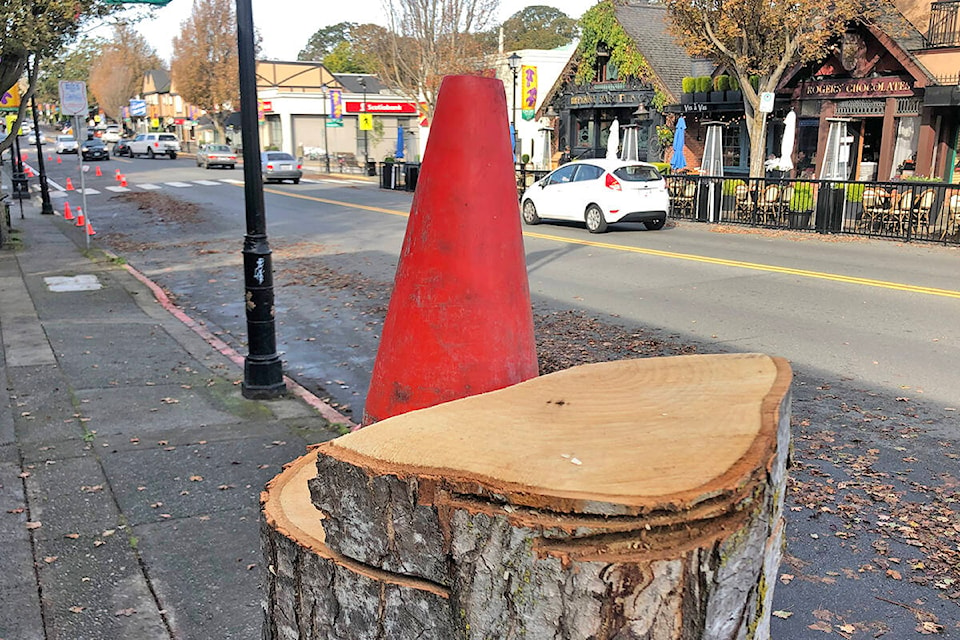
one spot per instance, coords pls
(462, 264)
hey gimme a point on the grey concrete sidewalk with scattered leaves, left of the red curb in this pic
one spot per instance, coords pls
(130, 463)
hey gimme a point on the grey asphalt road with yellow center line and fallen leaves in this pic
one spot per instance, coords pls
(869, 326)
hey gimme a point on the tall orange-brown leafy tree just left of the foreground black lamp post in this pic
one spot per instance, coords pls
(205, 66)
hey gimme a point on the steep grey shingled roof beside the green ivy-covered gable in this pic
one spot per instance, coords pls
(647, 24)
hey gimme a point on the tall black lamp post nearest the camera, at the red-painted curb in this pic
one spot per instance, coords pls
(262, 368)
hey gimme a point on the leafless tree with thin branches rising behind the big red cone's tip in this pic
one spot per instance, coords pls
(428, 39)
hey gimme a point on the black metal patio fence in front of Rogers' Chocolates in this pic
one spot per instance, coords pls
(904, 210)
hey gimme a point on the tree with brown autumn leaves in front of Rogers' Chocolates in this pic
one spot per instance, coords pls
(761, 38)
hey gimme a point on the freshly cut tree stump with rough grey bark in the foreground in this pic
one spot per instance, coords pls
(639, 499)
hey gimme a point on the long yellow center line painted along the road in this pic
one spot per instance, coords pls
(753, 266)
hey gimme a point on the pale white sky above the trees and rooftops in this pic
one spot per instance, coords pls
(286, 25)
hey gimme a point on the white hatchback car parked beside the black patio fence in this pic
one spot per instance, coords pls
(599, 192)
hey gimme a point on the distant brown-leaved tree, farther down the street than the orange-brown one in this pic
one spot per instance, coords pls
(116, 76)
